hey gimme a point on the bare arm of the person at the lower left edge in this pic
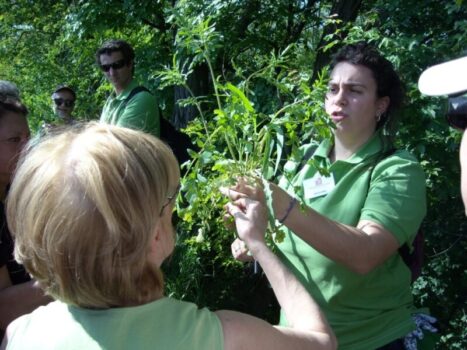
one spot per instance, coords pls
(17, 300)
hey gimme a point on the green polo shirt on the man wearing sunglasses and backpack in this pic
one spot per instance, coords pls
(140, 113)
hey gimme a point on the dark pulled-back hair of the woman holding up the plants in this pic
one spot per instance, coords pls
(387, 80)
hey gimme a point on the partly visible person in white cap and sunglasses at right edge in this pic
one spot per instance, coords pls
(450, 78)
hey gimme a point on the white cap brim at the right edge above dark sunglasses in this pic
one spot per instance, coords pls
(445, 78)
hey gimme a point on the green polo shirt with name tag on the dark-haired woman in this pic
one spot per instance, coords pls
(365, 311)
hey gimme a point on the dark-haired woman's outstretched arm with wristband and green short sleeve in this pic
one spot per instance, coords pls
(365, 246)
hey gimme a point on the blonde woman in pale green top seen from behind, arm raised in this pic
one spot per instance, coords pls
(91, 211)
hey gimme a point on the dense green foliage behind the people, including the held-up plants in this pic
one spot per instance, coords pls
(251, 72)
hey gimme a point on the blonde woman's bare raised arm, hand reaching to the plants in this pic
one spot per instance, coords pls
(308, 327)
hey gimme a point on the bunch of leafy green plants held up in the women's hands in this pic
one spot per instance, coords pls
(235, 139)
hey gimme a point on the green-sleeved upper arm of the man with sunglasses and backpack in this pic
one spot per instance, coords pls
(141, 113)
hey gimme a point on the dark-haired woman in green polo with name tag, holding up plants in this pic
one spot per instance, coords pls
(343, 231)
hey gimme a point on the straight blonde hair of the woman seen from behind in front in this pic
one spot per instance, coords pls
(83, 207)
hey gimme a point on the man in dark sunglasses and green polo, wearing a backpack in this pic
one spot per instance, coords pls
(136, 111)
